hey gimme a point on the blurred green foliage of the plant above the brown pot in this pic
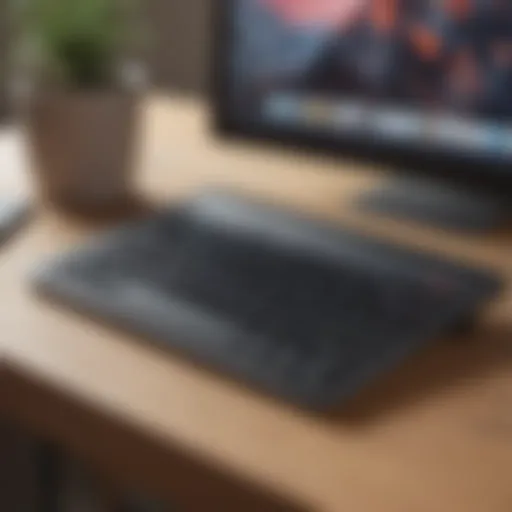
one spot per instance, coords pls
(77, 42)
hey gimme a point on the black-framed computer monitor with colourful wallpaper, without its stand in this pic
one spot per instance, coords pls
(424, 85)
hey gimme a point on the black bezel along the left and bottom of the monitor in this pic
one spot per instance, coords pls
(485, 173)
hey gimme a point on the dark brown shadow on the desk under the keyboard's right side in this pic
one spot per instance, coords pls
(452, 366)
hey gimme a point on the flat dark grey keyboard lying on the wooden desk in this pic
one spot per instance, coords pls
(297, 307)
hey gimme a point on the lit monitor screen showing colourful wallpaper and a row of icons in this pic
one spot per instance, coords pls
(437, 70)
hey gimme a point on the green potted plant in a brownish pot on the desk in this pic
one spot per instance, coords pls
(81, 102)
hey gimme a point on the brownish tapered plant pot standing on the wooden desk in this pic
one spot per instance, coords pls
(83, 147)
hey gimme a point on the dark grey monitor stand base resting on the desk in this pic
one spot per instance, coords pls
(439, 204)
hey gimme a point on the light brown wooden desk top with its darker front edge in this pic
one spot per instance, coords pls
(434, 436)
